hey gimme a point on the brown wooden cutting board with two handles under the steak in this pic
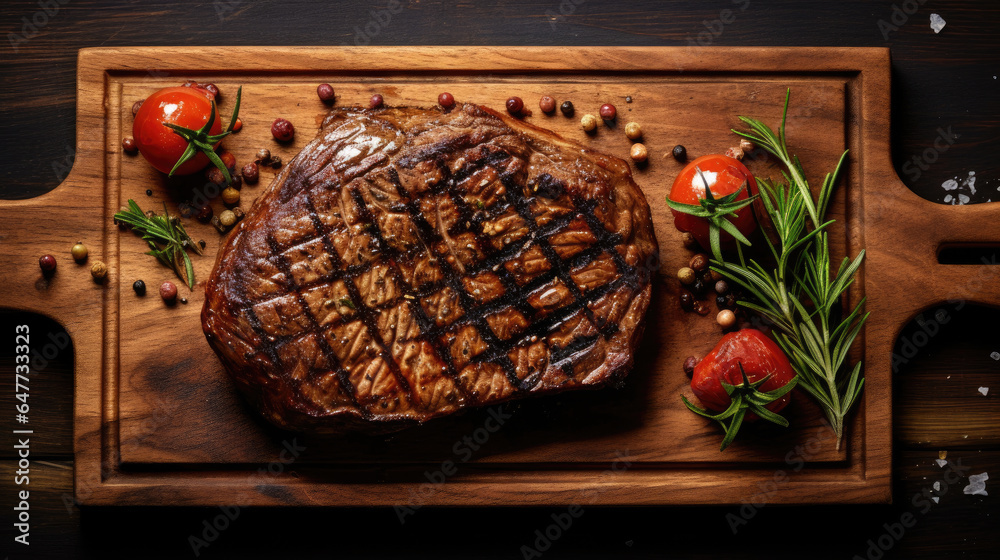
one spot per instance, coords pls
(158, 422)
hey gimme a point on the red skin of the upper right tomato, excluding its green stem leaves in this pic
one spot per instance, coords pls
(724, 176)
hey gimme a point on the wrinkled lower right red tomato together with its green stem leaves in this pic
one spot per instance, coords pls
(746, 376)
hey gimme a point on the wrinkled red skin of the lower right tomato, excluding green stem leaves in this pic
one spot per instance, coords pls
(759, 355)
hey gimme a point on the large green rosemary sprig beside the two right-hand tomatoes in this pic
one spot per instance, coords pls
(800, 295)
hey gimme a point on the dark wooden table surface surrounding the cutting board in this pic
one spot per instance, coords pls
(945, 85)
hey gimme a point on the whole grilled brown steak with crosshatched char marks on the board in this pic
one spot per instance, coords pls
(409, 263)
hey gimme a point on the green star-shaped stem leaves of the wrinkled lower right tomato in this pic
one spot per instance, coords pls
(745, 398)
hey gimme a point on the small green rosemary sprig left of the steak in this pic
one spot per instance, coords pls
(166, 237)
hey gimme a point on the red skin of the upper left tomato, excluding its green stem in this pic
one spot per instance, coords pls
(189, 107)
